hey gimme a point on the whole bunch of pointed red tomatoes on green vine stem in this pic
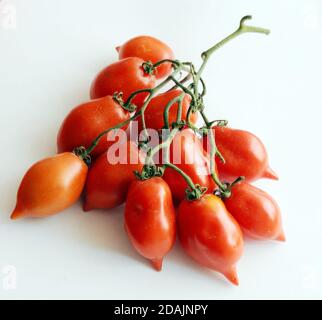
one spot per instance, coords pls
(209, 188)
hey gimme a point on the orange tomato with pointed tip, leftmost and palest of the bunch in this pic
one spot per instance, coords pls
(50, 186)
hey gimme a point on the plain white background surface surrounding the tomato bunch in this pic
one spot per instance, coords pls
(268, 85)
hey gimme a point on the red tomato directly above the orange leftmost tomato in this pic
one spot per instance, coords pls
(86, 121)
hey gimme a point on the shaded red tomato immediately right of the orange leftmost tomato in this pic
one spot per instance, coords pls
(108, 183)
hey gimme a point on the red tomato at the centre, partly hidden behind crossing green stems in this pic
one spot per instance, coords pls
(154, 111)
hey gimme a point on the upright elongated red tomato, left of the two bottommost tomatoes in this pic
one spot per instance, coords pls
(150, 219)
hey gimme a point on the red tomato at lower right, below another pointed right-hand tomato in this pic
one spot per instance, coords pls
(256, 212)
